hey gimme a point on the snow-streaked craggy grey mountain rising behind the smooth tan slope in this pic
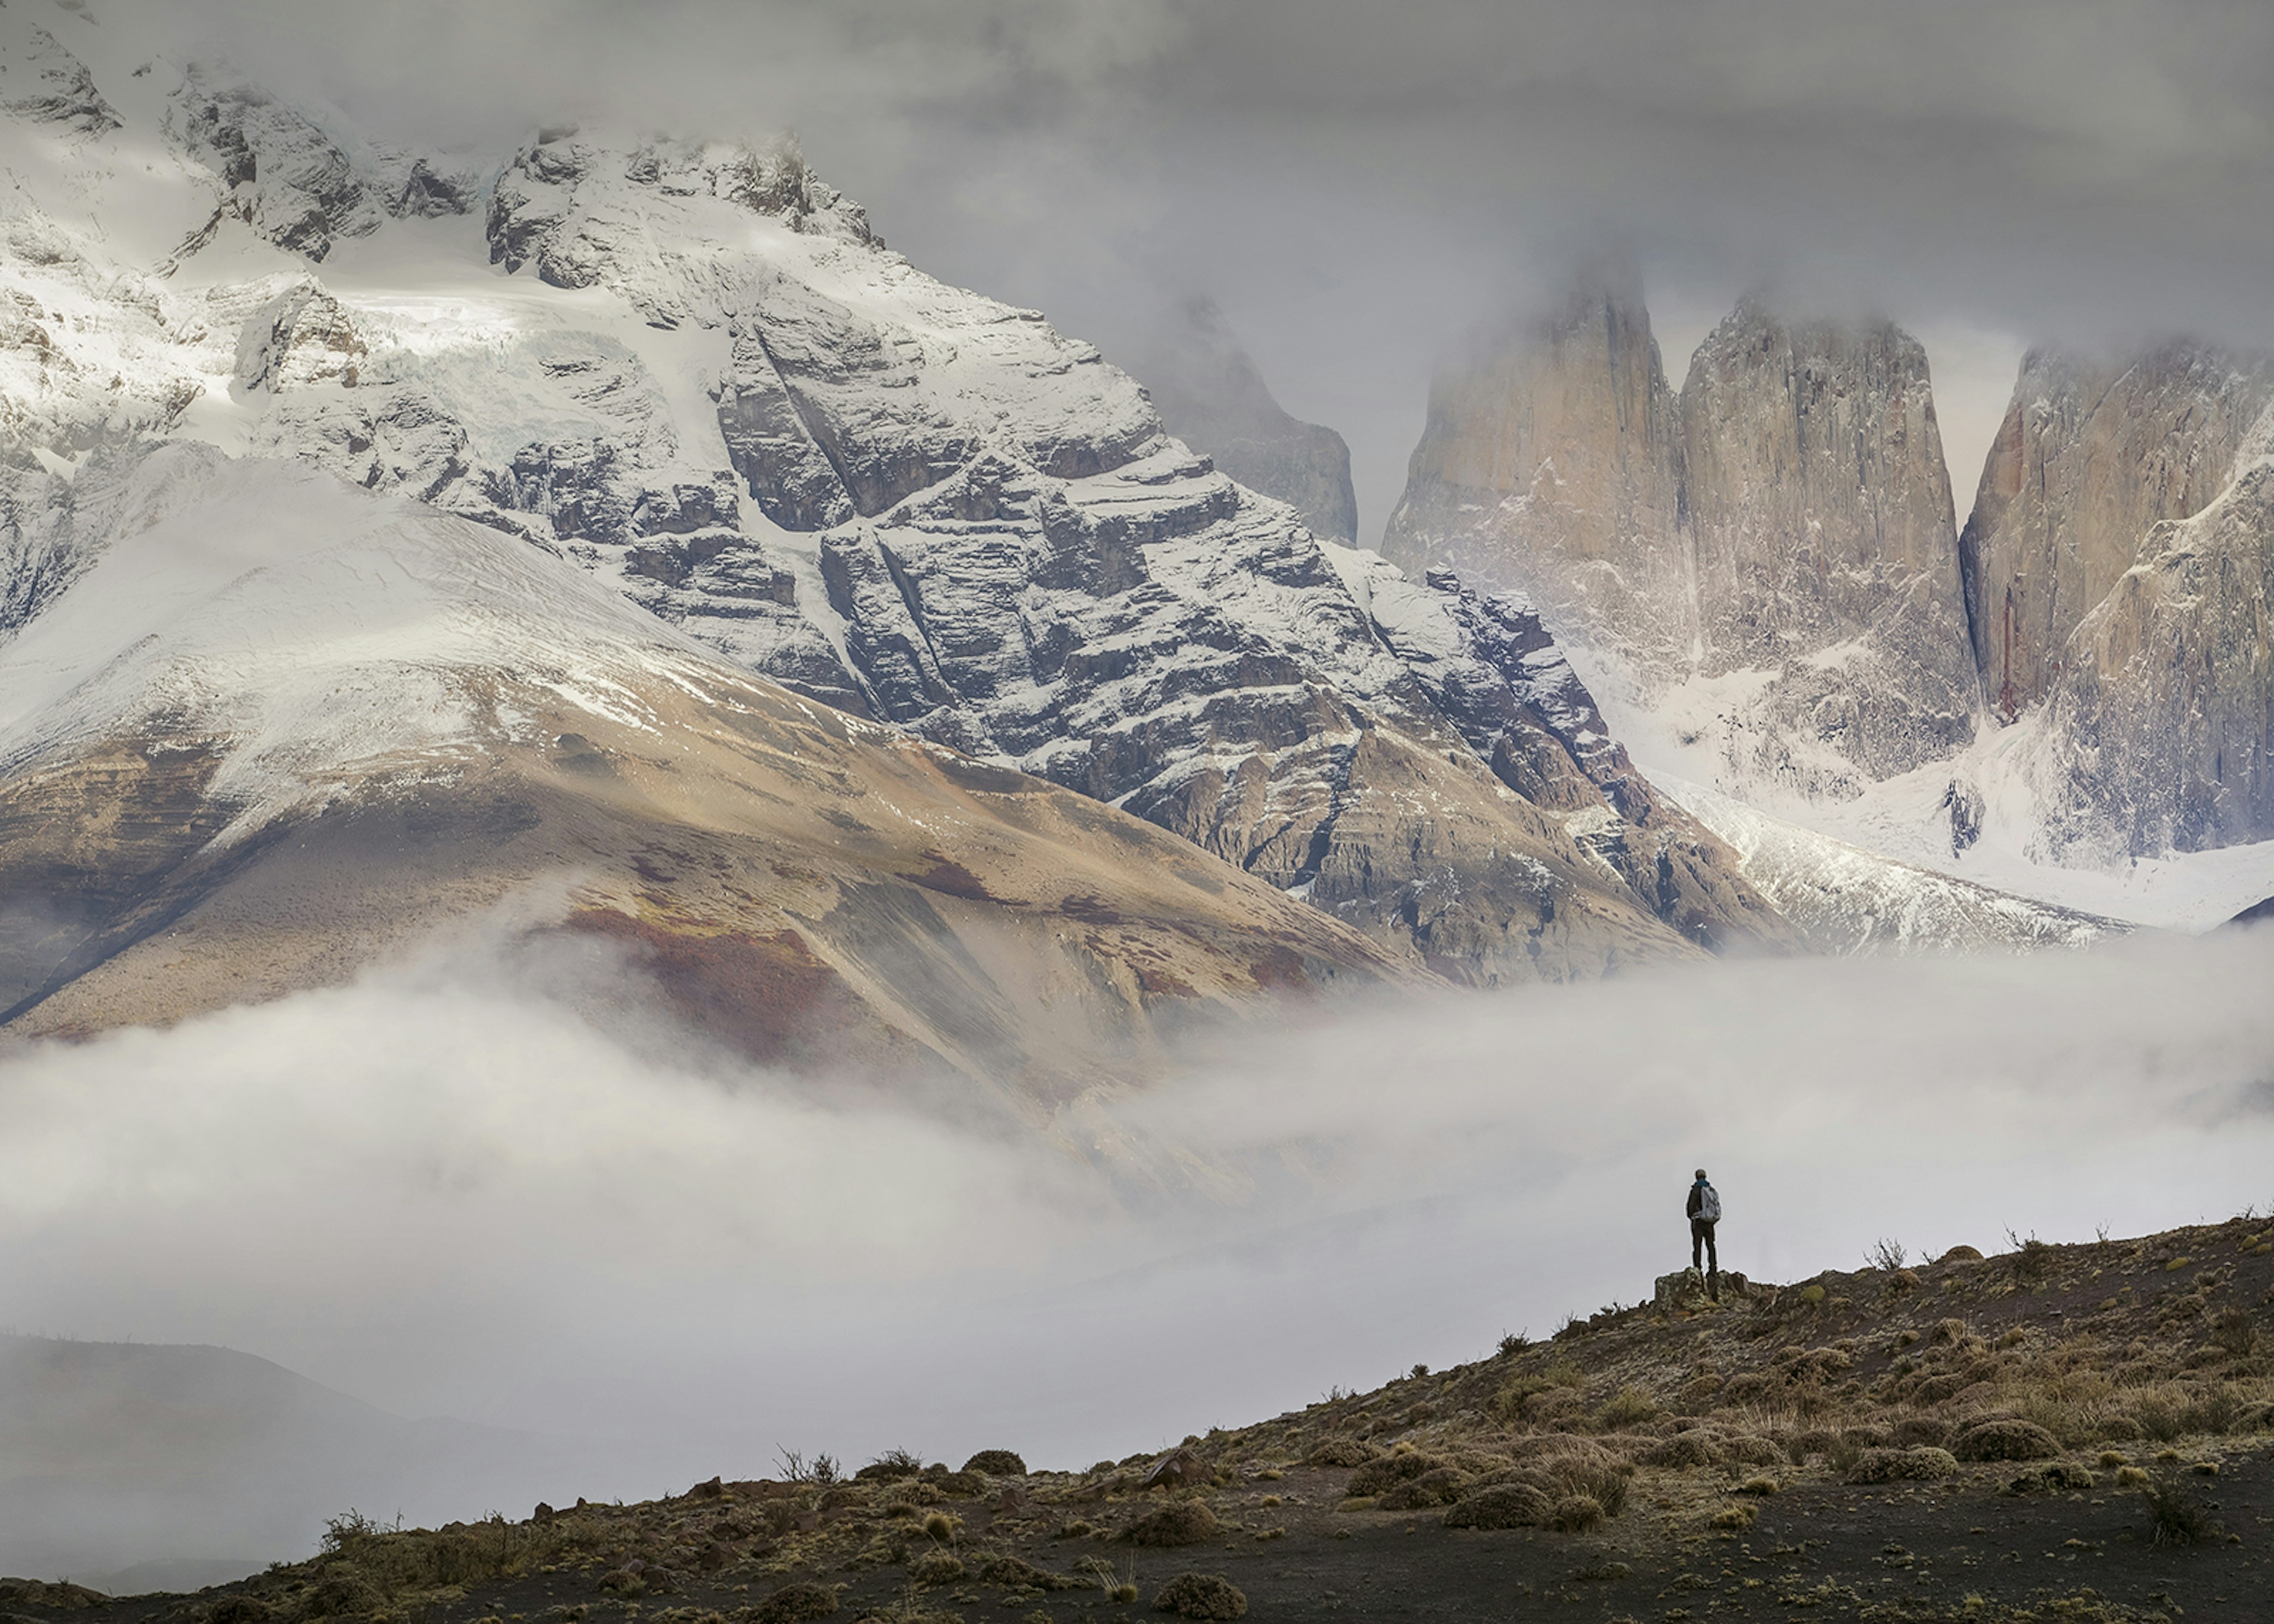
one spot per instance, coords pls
(697, 374)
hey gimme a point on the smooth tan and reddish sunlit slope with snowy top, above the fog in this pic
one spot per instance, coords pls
(285, 729)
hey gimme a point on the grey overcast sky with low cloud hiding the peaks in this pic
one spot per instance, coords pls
(1361, 183)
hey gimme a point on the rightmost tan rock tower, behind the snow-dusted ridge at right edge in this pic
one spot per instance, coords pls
(2093, 454)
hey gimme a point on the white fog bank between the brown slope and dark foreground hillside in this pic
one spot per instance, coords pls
(472, 1186)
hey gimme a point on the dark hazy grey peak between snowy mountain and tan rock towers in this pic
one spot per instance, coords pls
(1213, 399)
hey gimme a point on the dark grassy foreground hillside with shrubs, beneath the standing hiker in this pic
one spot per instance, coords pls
(2052, 1434)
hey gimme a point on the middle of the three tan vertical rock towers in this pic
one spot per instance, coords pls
(1825, 540)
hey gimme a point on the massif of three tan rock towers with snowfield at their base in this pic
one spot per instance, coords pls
(1763, 583)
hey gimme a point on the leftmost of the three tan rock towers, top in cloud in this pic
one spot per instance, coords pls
(1554, 467)
